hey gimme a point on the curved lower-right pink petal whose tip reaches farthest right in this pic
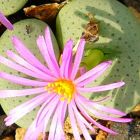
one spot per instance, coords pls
(88, 107)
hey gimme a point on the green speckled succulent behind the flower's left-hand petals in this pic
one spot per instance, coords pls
(28, 31)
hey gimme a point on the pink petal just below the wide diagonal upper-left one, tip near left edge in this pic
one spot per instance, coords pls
(24, 63)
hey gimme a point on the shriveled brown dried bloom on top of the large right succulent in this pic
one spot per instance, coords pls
(91, 32)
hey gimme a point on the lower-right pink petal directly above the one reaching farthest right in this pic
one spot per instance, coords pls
(103, 108)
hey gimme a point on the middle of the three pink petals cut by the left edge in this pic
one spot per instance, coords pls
(21, 81)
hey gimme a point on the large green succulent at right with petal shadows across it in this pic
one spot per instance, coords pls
(119, 40)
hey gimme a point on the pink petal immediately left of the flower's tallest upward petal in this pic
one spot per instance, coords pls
(44, 51)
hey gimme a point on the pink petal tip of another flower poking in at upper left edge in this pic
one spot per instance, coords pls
(5, 22)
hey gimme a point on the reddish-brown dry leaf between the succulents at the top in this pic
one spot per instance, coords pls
(45, 12)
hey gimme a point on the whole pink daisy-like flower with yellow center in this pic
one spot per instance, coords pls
(59, 90)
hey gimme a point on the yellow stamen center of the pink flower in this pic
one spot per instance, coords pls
(64, 88)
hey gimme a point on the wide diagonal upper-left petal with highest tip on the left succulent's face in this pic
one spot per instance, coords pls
(27, 55)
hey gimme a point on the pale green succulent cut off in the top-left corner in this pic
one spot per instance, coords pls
(9, 7)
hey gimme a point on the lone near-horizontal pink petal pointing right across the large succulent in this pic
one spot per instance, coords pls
(101, 88)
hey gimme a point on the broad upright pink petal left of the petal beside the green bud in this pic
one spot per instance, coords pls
(66, 65)
